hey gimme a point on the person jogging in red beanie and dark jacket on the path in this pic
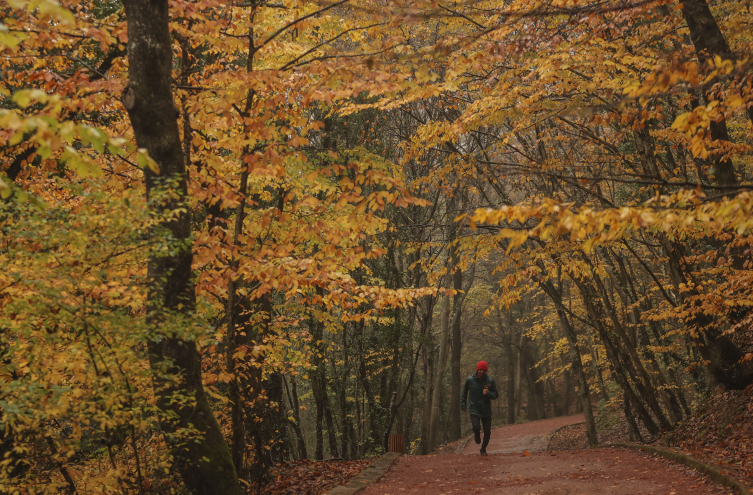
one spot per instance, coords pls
(482, 391)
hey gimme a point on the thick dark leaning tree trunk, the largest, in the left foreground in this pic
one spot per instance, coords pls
(204, 463)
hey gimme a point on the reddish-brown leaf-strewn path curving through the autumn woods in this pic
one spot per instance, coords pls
(517, 465)
